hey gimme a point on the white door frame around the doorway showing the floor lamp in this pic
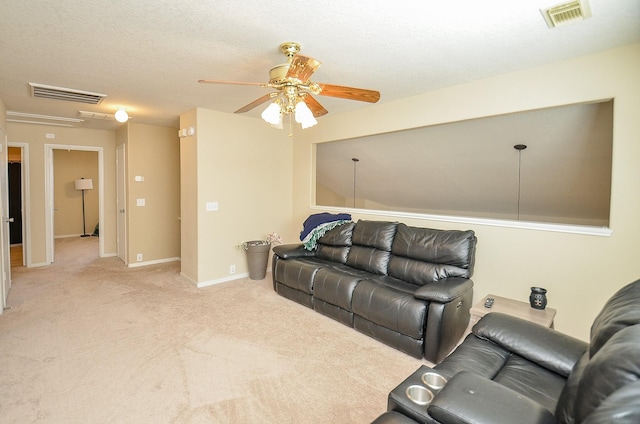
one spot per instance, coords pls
(48, 183)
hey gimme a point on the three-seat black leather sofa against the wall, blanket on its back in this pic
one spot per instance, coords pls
(408, 287)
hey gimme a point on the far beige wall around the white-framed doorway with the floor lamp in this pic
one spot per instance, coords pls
(35, 136)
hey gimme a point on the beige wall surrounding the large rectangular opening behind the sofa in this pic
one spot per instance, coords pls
(579, 271)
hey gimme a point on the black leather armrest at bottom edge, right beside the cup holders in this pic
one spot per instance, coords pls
(469, 398)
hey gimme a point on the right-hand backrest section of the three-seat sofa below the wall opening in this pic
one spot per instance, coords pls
(424, 255)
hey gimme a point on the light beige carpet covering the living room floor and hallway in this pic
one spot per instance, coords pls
(89, 340)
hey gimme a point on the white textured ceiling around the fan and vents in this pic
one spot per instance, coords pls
(147, 55)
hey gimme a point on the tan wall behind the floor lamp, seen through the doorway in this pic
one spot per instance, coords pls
(70, 165)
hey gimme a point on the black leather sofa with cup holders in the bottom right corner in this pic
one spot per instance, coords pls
(513, 371)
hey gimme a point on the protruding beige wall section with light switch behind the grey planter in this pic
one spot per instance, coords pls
(245, 166)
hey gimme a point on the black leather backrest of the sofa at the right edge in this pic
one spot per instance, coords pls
(610, 369)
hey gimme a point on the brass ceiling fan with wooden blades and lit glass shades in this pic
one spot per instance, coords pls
(294, 90)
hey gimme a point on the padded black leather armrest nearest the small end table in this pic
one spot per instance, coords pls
(544, 346)
